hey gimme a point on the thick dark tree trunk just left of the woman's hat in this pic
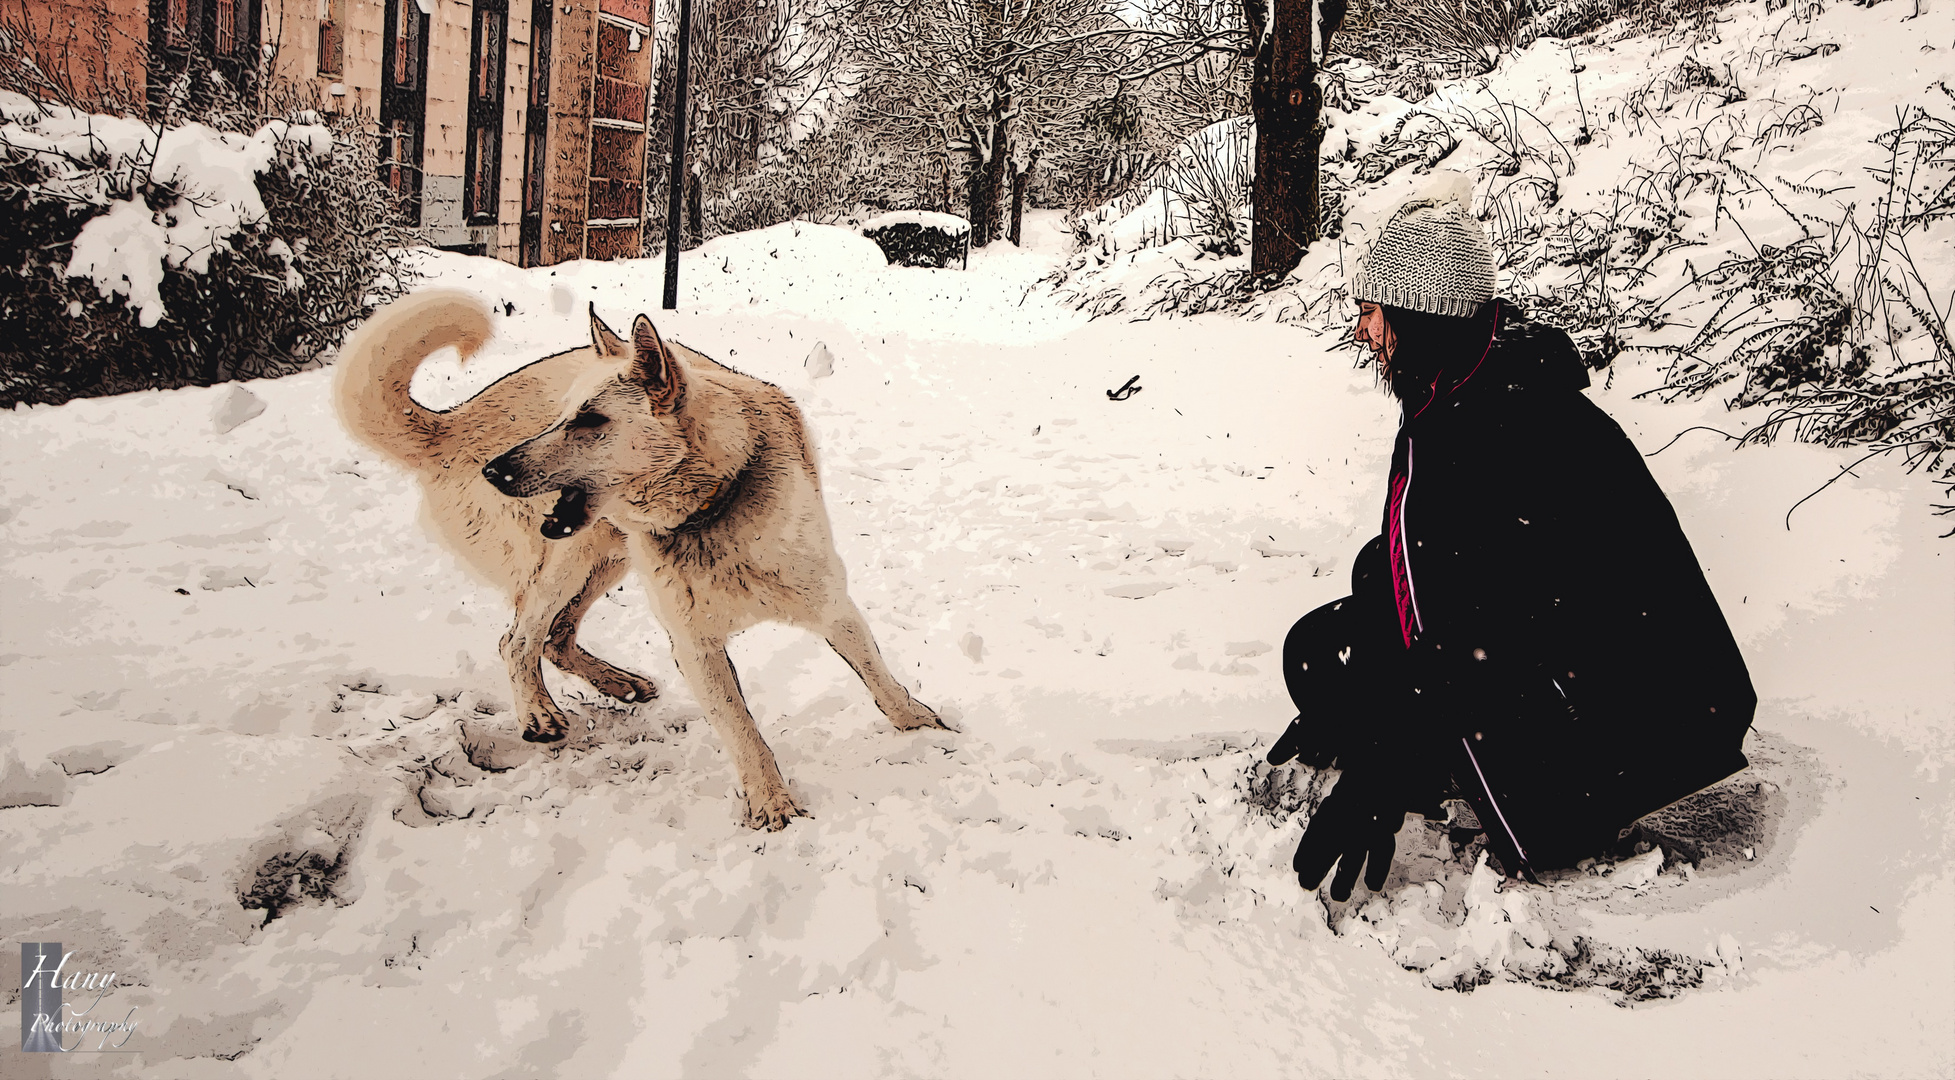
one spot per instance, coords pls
(1287, 109)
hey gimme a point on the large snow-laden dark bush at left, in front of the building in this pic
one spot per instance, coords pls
(183, 253)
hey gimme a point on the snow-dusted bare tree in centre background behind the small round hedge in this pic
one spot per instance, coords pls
(1092, 91)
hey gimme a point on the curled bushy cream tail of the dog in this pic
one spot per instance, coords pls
(380, 359)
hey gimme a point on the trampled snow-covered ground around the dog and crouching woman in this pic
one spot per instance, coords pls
(234, 668)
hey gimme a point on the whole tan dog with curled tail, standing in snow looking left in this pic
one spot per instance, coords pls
(699, 476)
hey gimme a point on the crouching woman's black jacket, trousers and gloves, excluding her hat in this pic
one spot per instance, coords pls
(1532, 627)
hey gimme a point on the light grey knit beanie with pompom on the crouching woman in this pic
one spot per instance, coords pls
(1430, 257)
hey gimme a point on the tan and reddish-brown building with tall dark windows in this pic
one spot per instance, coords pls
(515, 128)
